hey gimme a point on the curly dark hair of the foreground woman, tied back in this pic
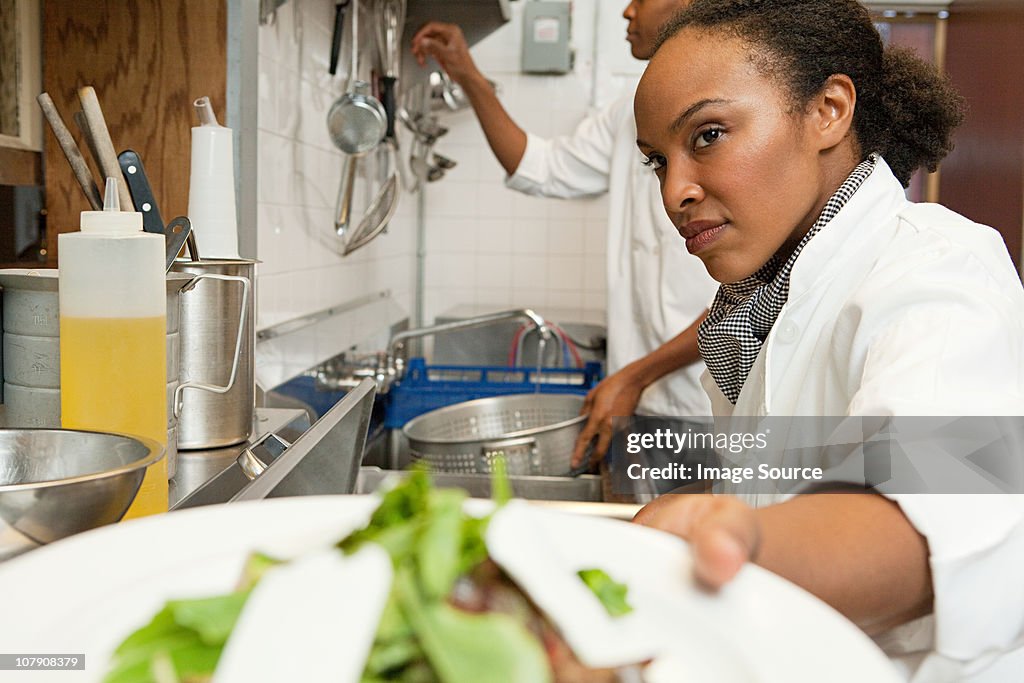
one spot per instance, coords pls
(906, 110)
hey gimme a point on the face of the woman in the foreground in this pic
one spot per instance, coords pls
(741, 172)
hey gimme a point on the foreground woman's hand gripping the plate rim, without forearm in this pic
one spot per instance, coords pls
(724, 533)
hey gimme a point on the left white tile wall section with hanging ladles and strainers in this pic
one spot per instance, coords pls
(300, 172)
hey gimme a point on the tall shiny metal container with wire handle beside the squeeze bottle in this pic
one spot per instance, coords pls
(216, 401)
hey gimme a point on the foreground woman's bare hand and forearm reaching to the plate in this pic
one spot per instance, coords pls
(859, 552)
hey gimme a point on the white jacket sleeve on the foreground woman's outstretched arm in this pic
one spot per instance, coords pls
(944, 337)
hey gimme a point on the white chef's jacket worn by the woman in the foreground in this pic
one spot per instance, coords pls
(903, 310)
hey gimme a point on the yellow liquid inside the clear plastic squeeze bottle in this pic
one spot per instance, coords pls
(114, 378)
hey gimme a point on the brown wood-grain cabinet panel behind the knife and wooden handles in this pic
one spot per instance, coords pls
(149, 61)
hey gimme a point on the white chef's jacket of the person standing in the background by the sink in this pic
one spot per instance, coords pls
(656, 288)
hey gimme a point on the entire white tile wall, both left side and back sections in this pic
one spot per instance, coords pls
(485, 244)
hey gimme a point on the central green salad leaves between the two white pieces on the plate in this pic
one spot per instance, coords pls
(433, 542)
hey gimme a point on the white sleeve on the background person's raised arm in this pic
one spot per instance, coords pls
(573, 166)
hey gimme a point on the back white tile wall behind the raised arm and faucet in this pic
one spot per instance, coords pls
(529, 252)
